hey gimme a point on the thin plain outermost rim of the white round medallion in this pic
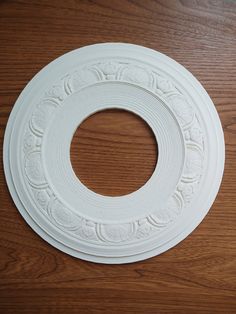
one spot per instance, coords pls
(133, 258)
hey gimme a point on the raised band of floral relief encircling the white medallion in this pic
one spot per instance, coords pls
(76, 225)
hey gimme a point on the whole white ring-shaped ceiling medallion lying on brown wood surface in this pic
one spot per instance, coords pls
(148, 221)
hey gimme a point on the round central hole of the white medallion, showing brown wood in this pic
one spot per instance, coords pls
(114, 152)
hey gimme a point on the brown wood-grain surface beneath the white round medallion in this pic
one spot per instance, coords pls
(198, 275)
